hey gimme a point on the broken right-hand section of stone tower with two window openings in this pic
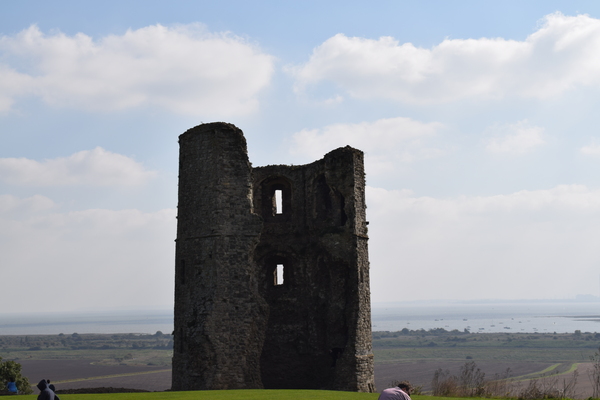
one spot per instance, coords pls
(319, 328)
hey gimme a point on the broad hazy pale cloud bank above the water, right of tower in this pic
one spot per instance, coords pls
(528, 244)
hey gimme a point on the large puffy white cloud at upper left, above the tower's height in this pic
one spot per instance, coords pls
(183, 69)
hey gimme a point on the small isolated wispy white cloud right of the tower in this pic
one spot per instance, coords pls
(519, 138)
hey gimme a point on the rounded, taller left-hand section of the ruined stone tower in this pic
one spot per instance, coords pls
(219, 315)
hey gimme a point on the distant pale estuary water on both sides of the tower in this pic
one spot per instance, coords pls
(530, 317)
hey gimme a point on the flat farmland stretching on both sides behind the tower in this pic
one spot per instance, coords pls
(143, 361)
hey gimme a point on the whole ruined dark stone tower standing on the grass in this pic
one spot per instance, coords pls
(272, 270)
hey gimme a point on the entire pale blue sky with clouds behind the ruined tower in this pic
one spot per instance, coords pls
(478, 121)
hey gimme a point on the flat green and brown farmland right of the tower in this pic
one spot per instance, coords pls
(549, 358)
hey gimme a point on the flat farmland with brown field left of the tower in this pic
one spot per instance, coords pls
(75, 361)
